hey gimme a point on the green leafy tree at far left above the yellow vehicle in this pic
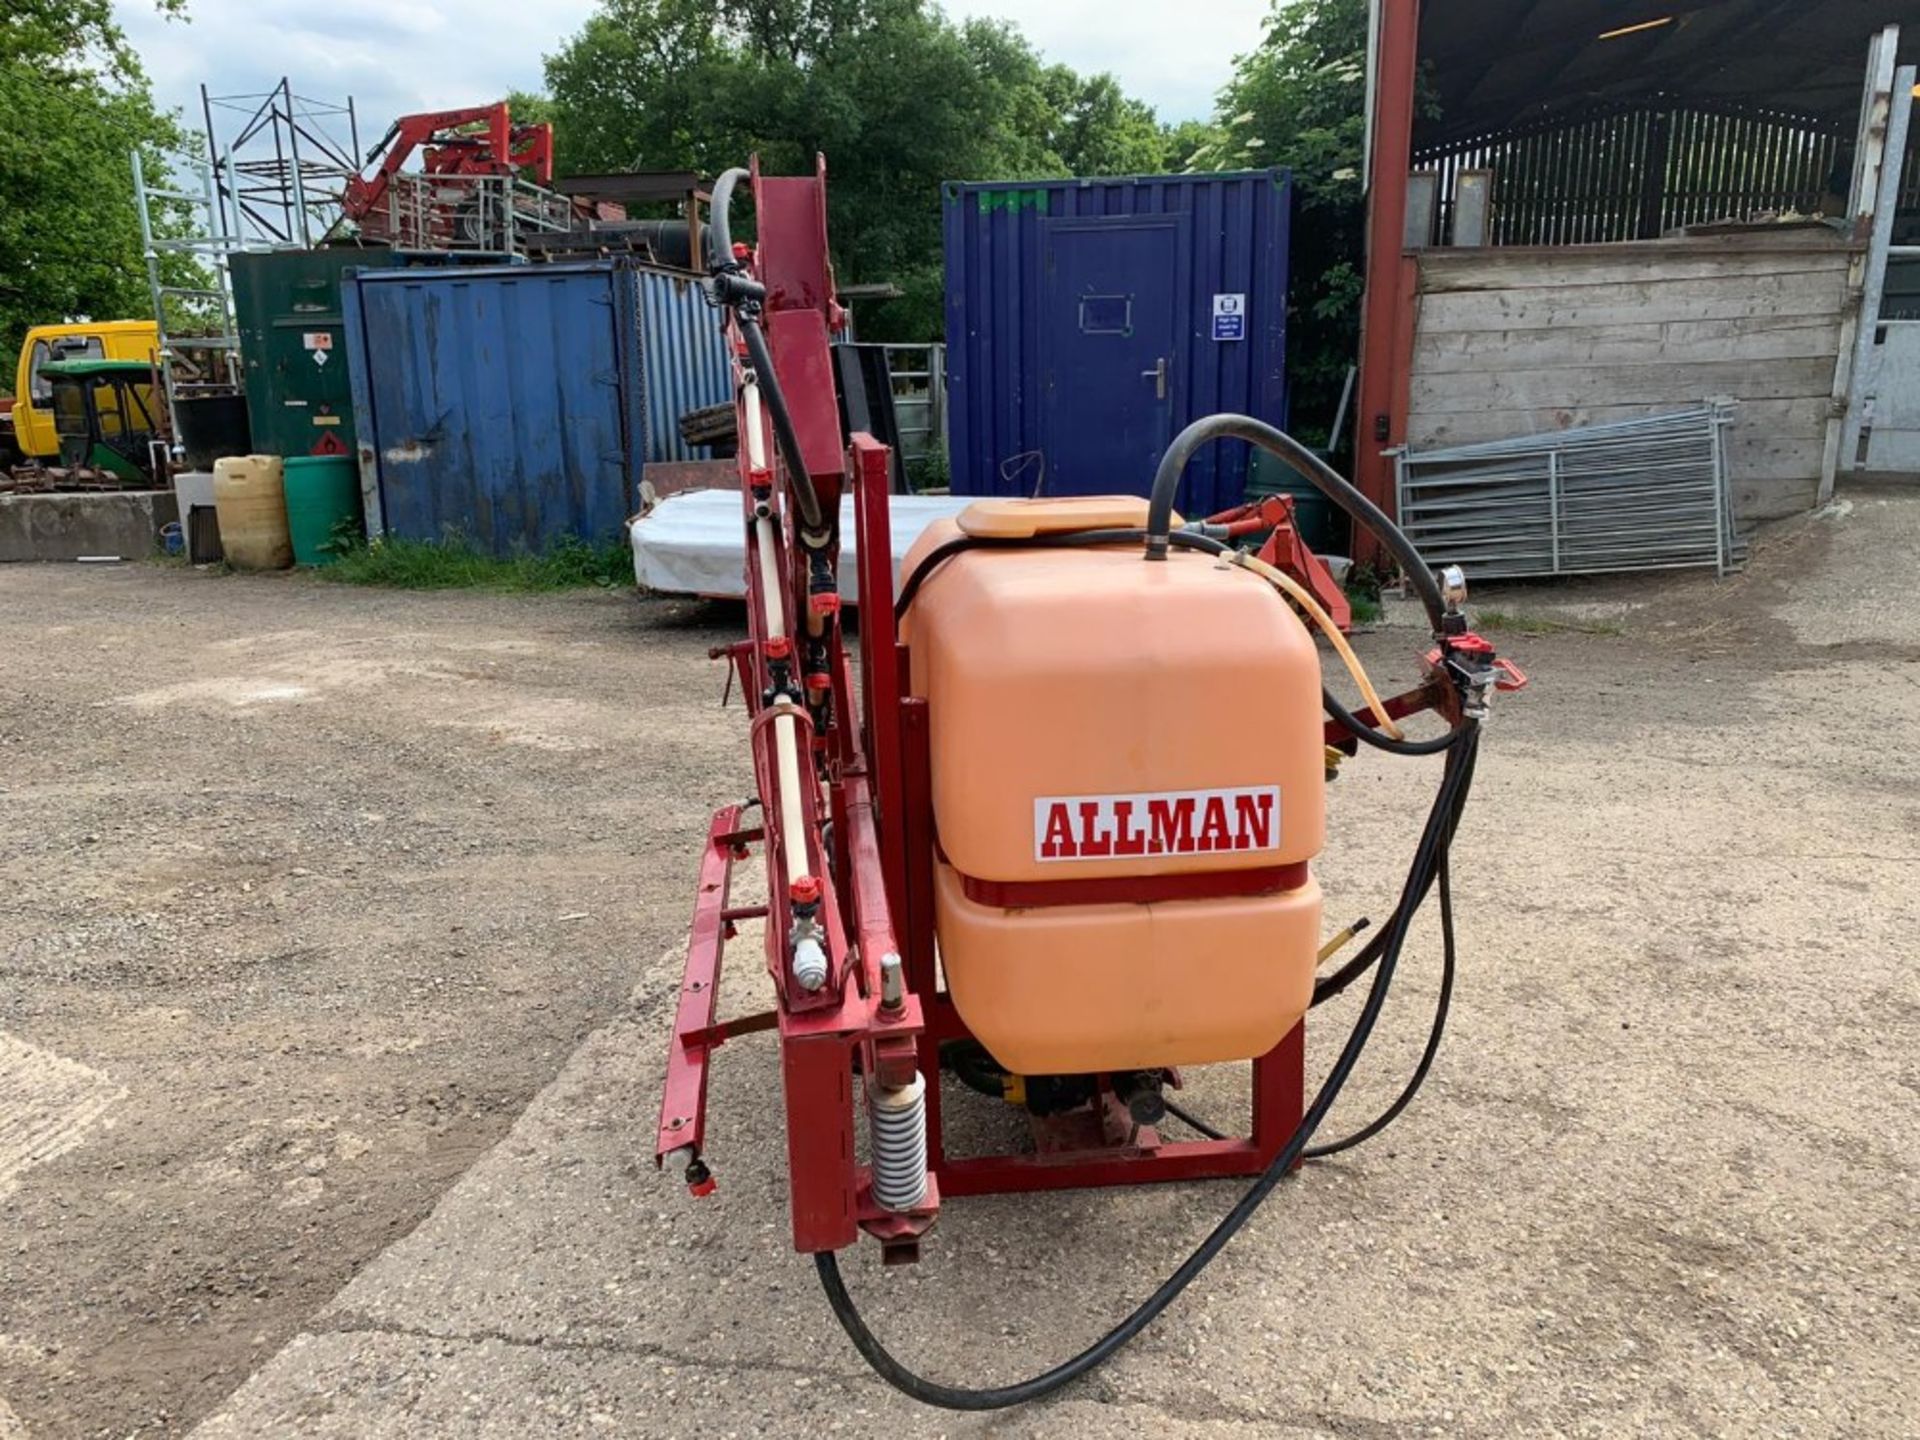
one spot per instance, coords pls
(76, 105)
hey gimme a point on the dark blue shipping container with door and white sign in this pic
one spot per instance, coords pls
(1090, 322)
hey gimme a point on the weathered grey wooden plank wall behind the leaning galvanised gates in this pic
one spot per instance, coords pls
(1512, 343)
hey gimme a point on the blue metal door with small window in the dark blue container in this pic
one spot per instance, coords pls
(1109, 345)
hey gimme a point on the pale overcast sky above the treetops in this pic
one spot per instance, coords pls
(398, 57)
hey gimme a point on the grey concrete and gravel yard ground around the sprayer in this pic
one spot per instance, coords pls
(1664, 1180)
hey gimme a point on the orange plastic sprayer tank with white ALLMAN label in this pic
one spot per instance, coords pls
(1128, 786)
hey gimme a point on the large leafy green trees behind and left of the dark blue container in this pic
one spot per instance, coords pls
(892, 91)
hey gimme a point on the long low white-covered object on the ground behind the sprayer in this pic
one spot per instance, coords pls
(696, 542)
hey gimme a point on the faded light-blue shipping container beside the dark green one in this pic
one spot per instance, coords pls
(512, 404)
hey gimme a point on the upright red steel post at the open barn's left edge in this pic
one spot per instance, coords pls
(1387, 318)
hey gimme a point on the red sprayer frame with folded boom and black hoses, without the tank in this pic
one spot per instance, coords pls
(846, 823)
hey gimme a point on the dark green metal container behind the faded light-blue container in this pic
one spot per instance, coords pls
(293, 347)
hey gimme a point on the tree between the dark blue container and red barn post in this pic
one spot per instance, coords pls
(1301, 101)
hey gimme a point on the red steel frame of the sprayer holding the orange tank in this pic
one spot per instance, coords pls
(871, 775)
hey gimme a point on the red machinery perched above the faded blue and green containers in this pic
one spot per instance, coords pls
(456, 147)
